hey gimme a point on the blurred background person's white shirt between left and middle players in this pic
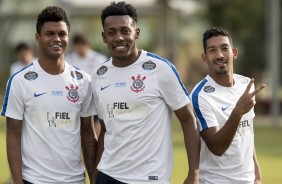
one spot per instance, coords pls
(88, 63)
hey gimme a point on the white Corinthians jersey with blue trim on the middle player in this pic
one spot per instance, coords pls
(136, 104)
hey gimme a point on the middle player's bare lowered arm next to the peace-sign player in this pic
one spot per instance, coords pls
(192, 141)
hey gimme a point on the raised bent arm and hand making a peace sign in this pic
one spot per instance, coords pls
(219, 140)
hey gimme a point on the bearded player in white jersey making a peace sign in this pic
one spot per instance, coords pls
(224, 106)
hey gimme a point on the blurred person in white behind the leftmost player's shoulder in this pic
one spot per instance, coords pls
(24, 57)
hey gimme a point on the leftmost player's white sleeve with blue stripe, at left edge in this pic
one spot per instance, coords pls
(13, 105)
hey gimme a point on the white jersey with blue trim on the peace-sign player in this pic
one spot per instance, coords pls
(213, 105)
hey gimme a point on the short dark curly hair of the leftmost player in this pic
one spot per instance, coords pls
(51, 14)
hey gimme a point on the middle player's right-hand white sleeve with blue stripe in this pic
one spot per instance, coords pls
(171, 87)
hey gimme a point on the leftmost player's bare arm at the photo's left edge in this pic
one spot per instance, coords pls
(14, 129)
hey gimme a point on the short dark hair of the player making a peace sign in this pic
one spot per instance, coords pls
(215, 31)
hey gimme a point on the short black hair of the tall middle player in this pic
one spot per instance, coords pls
(120, 8)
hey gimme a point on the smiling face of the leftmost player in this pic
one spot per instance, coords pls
(53, 40)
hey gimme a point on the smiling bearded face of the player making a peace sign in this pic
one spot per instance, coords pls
(219, 56)
